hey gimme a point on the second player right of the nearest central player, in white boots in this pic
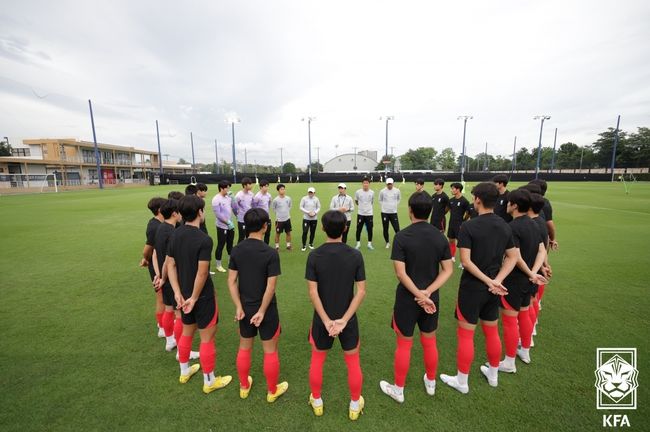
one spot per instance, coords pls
(483, 242)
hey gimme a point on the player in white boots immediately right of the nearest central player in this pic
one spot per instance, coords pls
(422, 264)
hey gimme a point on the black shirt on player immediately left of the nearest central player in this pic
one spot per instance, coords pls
(255, 262)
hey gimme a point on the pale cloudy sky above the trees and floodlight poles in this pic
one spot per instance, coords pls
(192, 64)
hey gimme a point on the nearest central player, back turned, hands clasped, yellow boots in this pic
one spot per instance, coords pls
(331, 272)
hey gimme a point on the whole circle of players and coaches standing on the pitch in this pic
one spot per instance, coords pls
(503, 238)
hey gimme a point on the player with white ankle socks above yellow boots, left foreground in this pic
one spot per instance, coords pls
(188, 262)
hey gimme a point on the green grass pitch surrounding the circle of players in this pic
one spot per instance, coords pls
(79, 349)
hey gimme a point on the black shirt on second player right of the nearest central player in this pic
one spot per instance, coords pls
(488, 236)
